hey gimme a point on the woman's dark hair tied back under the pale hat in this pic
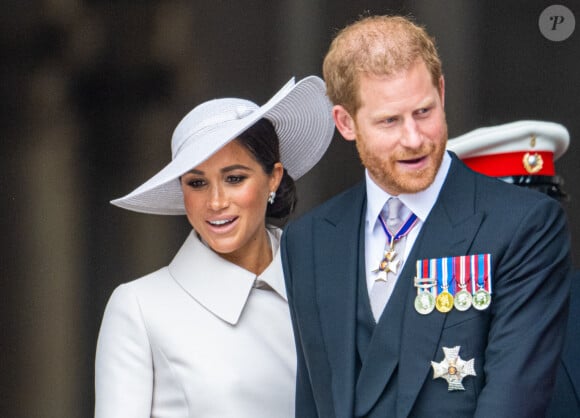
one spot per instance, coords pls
(263, 143)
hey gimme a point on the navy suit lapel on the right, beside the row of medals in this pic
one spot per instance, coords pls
(448, 231)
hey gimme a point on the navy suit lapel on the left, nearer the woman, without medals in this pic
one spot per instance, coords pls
(337, 268)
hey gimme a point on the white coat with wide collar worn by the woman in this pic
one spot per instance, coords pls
(197, 339)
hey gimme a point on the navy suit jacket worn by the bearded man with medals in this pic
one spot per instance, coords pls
(515, 343)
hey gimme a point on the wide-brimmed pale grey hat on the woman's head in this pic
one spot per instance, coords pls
(301, 115)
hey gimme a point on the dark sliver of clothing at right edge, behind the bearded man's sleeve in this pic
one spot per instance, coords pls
(566, 400)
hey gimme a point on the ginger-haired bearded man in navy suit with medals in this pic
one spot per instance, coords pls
(427, 290)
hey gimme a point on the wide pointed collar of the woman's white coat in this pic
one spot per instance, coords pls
(218, 285)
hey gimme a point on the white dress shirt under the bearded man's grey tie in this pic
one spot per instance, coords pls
(375, 238)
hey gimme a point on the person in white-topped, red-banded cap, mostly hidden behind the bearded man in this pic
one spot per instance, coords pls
(504, 151)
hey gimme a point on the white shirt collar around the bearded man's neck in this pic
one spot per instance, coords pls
(419, 203)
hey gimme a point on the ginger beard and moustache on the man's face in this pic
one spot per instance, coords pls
(389, 178)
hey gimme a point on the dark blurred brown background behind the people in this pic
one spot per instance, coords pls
(91, 91)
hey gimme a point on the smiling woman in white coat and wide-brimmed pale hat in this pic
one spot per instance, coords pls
(210, 334)
